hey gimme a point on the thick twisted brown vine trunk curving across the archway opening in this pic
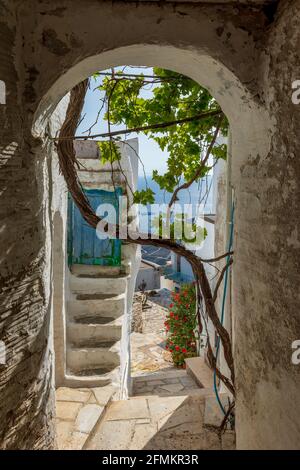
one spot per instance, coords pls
(68, 163)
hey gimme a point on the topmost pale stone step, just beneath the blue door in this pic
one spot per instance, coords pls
(84, 285)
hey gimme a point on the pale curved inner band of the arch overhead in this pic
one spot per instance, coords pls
(234, 98)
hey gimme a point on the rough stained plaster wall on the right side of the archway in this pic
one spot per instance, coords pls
(267, 263)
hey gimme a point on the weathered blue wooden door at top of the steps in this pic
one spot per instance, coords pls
(84, 247)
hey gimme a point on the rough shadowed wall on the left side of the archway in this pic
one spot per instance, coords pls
(26, 380)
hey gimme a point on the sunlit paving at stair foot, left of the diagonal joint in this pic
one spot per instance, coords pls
(77, 412)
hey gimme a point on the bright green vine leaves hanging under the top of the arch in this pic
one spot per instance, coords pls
(174, 96)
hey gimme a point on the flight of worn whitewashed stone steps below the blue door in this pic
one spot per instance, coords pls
(94, 327)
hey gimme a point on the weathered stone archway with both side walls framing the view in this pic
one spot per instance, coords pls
(232, 52)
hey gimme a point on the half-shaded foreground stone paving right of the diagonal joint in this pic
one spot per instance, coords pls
(157, 423)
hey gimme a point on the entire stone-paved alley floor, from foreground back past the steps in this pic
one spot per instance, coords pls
(166, 411)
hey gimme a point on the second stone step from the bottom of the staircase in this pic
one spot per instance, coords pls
(79, 359)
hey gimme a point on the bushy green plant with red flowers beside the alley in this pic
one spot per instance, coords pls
(180, 325)
